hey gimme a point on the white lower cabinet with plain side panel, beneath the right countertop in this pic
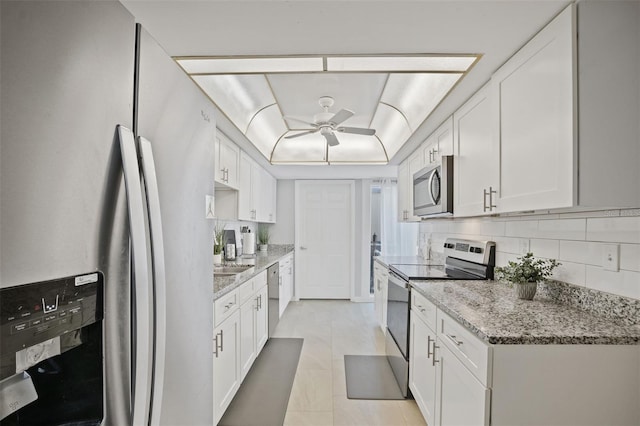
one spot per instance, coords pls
(458, 379)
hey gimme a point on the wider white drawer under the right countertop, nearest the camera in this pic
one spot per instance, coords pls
(470, 350)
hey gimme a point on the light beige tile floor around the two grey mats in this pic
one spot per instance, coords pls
(332, 329)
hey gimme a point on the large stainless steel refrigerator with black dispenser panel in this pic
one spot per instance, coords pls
(106, 160)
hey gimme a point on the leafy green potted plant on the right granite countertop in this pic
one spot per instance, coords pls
(526, 273)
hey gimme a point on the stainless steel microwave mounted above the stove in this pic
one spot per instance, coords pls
(433, 189)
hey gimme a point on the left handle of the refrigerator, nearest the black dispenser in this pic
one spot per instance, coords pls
(141, 340)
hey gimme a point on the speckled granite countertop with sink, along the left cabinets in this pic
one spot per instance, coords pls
(260, 262)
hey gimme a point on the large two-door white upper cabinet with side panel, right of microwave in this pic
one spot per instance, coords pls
(557, 126)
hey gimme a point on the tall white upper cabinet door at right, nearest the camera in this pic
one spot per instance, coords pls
(533, 100)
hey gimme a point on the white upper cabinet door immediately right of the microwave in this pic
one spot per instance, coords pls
(476, 157)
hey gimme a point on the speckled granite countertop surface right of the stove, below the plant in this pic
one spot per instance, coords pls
(492, 311)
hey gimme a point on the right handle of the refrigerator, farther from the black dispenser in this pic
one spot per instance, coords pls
(159, 276)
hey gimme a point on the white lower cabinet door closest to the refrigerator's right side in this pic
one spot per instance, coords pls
(226, 363)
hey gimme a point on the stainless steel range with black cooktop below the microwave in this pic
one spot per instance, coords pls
(465, 260)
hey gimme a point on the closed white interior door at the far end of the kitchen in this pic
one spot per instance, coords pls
(324, 220)
